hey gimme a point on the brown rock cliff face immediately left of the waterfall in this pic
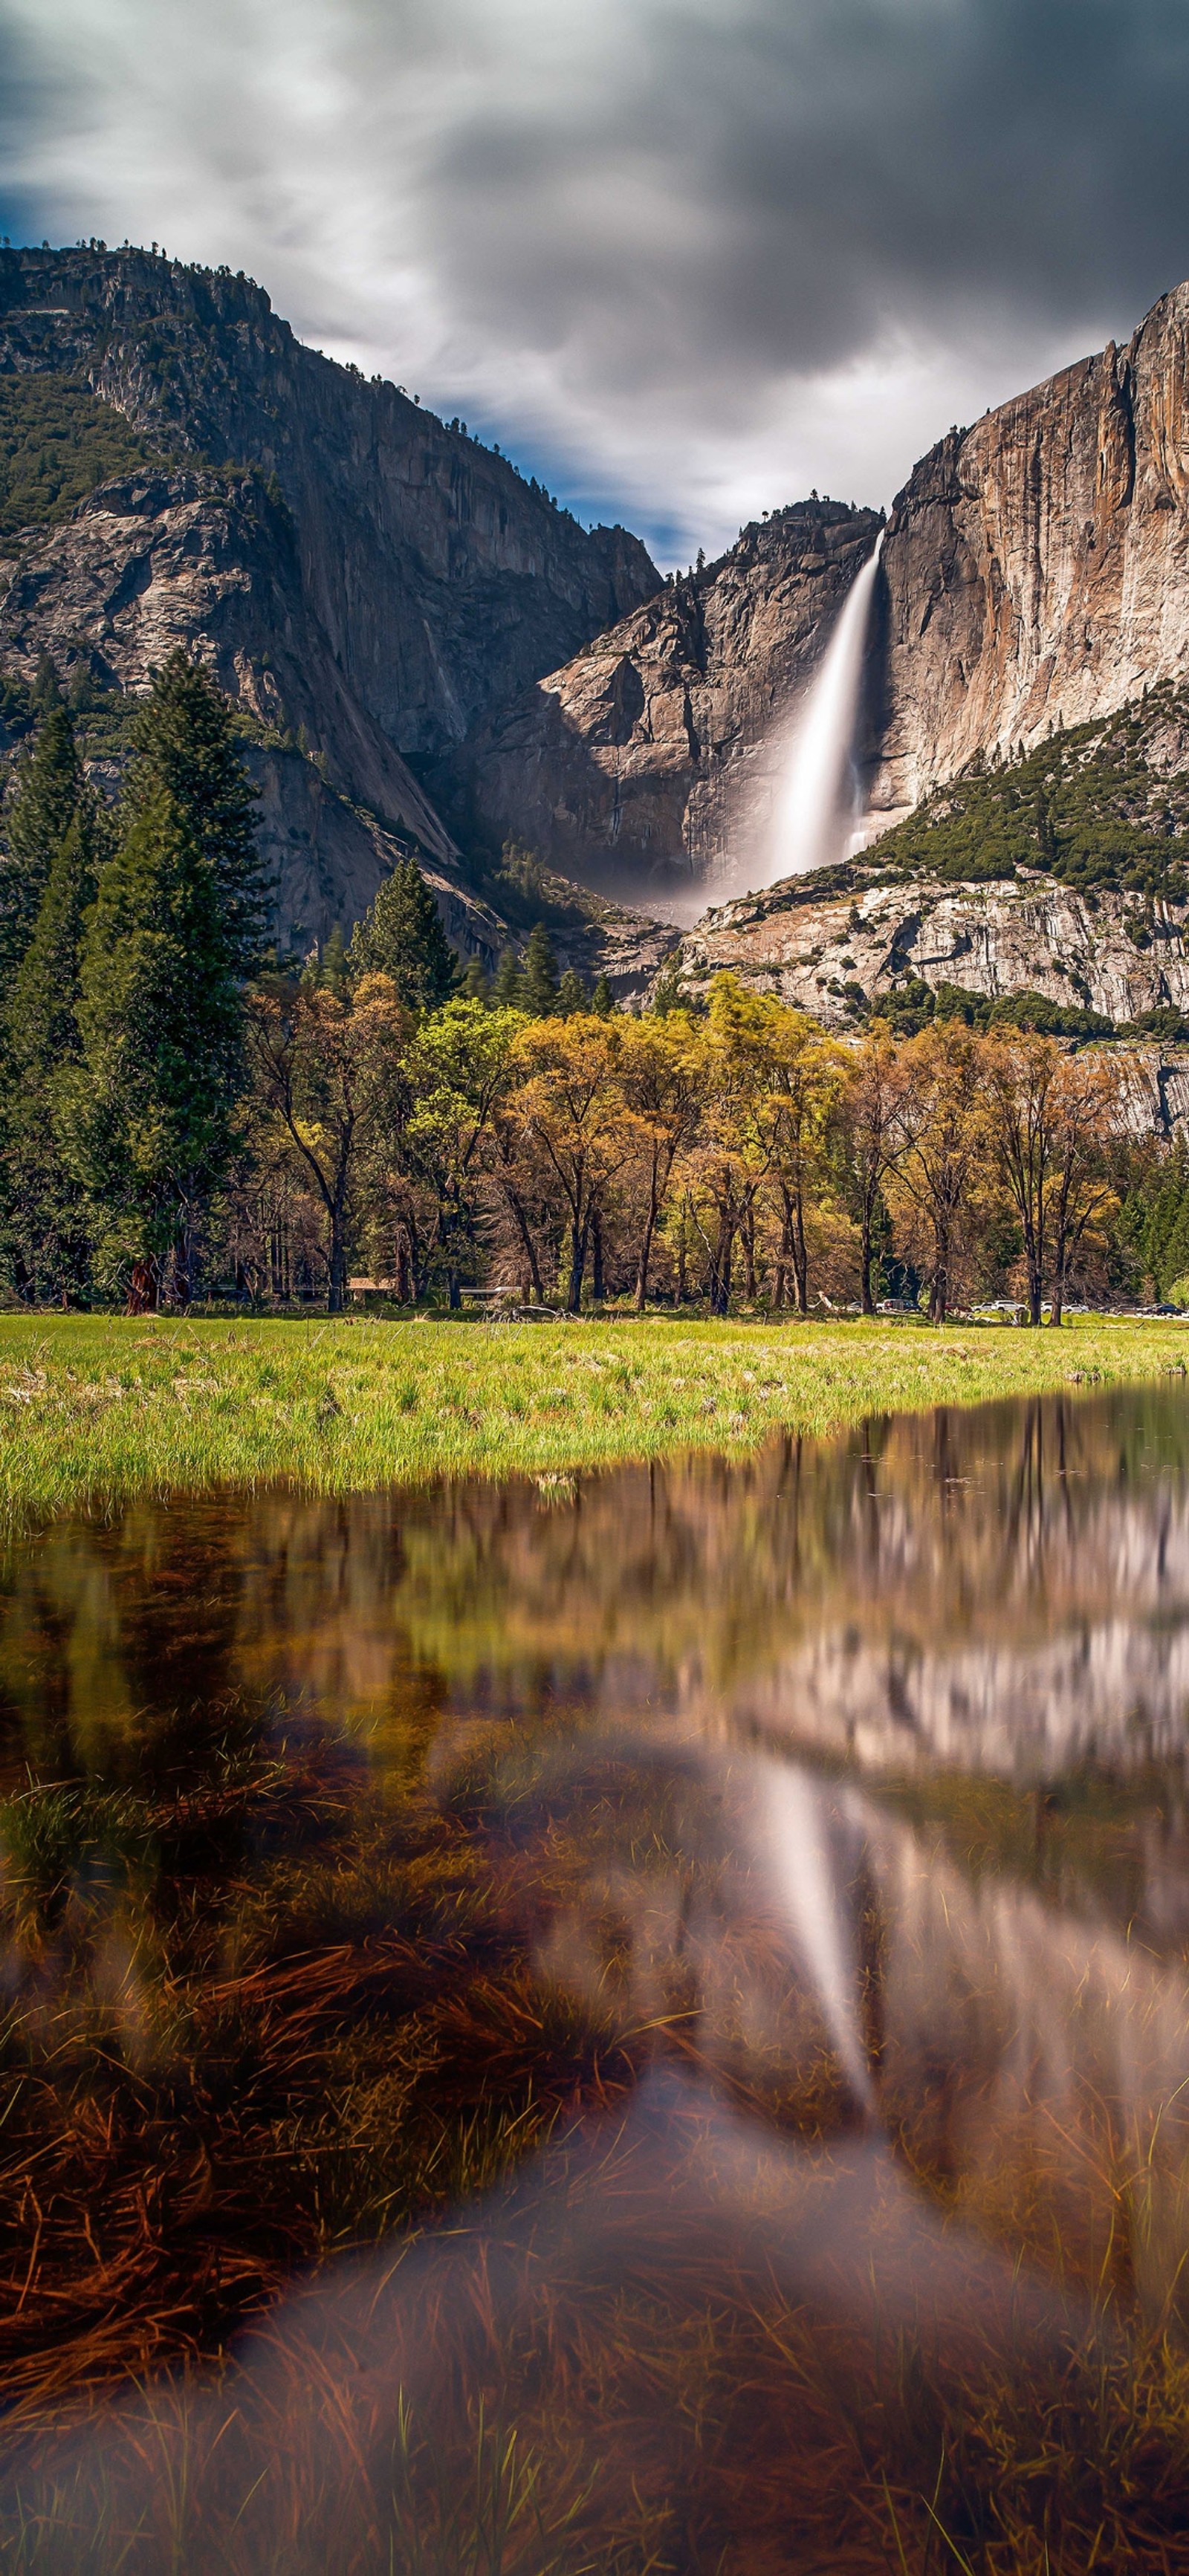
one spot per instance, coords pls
(651, 759)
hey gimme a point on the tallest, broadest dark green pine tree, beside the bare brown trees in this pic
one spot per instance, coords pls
(151, 1112)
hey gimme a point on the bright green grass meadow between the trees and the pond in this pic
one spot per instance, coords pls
(102, 1405)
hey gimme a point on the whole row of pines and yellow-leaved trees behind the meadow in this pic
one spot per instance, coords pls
(190, 1114)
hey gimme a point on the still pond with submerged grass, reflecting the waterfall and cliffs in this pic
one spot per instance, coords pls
(623, 2021)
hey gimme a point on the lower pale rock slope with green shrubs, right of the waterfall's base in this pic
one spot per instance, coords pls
(1061, 875)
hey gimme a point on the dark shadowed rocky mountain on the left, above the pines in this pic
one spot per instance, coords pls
(368, 581)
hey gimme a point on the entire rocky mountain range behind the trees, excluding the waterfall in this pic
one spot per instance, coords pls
(429, 656)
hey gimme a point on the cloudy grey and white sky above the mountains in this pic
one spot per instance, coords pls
(682, 259)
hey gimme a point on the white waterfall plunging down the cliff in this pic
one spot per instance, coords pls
(816, 800)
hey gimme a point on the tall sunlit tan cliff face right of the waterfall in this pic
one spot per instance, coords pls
(1038, 565)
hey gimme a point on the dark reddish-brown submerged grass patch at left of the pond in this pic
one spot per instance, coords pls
(215, 2075)
